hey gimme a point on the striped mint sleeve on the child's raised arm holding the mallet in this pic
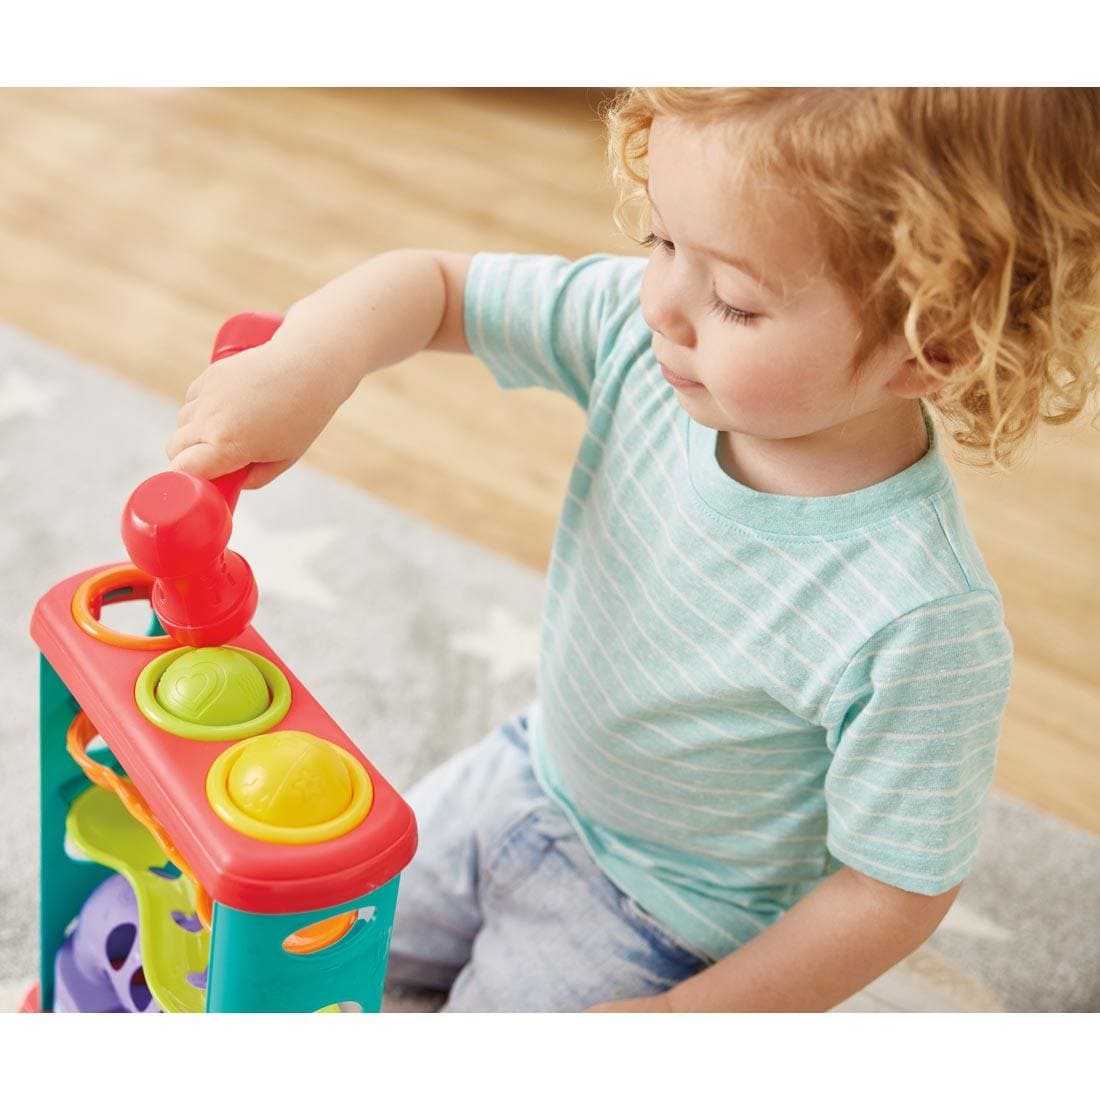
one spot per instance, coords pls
(548, 322)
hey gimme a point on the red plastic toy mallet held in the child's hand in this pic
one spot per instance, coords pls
(177, 527)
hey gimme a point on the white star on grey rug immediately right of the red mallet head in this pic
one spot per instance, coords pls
(282, 560)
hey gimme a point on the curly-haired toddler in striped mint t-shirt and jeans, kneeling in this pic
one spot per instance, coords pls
(774, 664)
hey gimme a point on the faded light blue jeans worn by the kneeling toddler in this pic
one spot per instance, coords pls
(504, 908)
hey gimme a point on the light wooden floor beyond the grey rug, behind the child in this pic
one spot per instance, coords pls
(133, 223)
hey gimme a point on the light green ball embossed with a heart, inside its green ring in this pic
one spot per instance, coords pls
(214, 687)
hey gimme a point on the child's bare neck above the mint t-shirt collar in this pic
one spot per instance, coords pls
(844, 459)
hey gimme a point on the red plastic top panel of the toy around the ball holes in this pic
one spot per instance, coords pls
(171, 772)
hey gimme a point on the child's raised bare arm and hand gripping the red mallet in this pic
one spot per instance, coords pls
(269, 404)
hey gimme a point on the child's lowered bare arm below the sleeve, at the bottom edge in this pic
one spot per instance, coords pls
(826, 949)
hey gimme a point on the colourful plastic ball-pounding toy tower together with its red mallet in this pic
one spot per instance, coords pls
(263, 850)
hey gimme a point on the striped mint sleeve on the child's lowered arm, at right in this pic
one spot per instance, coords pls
(914, 728)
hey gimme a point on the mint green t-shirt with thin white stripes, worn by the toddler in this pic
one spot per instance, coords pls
(740, 692)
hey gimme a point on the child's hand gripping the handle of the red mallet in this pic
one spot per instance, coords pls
(263, 406)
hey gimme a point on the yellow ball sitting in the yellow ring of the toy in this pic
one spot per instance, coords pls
(290, 779)
